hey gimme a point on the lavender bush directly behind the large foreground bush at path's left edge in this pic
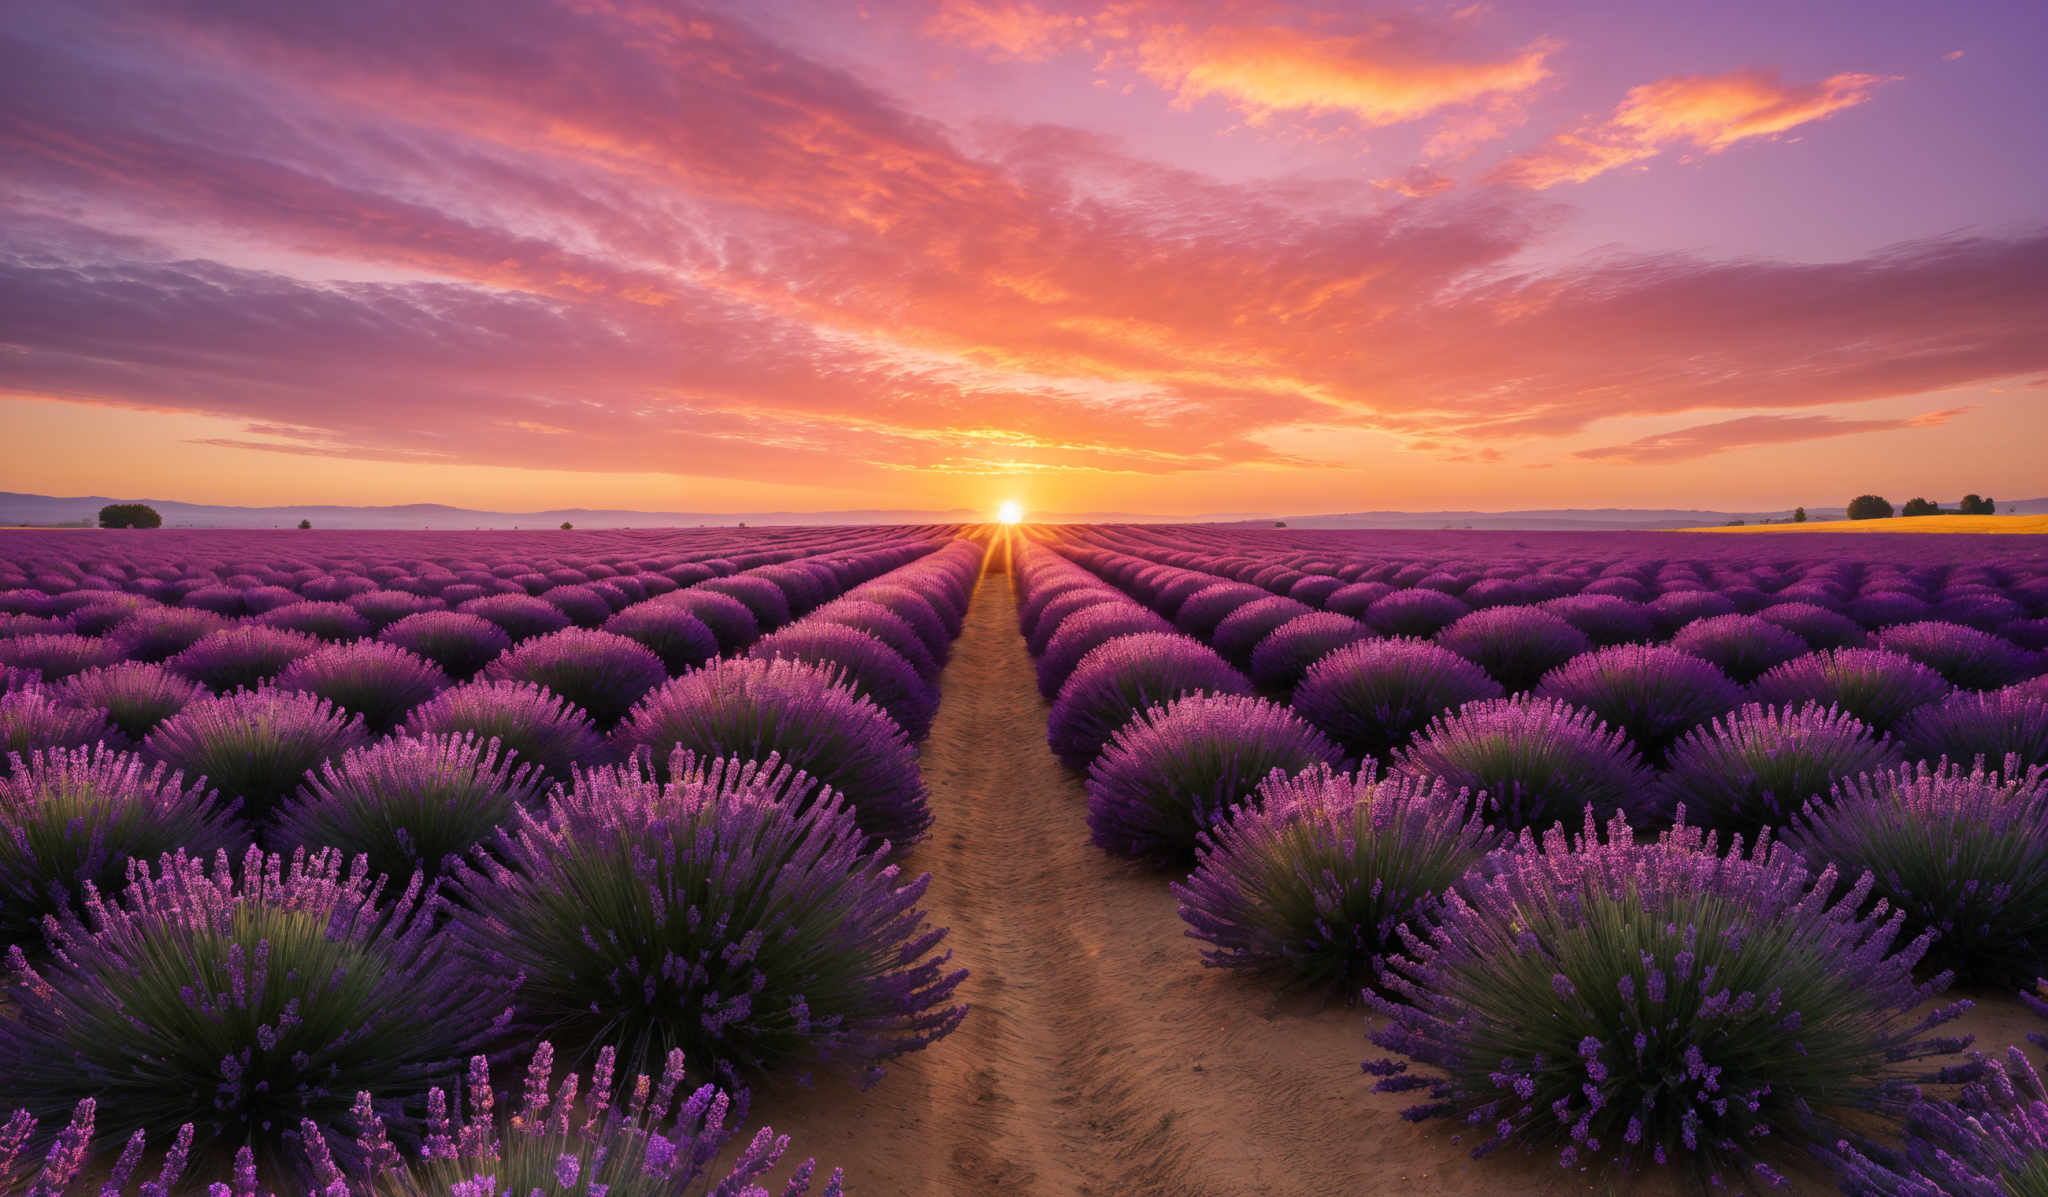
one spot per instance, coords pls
(800, 712)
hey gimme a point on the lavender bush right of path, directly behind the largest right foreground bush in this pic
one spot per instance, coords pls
(1314, 878)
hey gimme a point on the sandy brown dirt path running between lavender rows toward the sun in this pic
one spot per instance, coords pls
(1099, 1057)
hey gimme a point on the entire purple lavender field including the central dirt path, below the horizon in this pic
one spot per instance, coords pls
(1041, 860)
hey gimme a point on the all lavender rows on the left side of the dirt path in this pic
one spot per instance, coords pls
(644, 817)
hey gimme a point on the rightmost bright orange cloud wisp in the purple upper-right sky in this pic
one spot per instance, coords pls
(1705, 112)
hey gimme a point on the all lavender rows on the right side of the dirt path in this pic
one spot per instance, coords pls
(1388, 829)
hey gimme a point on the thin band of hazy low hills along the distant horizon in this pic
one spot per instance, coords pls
(42, 509)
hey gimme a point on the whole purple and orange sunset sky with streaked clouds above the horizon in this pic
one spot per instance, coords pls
(1150, 257)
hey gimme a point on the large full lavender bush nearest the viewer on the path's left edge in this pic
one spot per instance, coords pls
(730, 913)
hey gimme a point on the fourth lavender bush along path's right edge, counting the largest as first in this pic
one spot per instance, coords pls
(1123, 677)
